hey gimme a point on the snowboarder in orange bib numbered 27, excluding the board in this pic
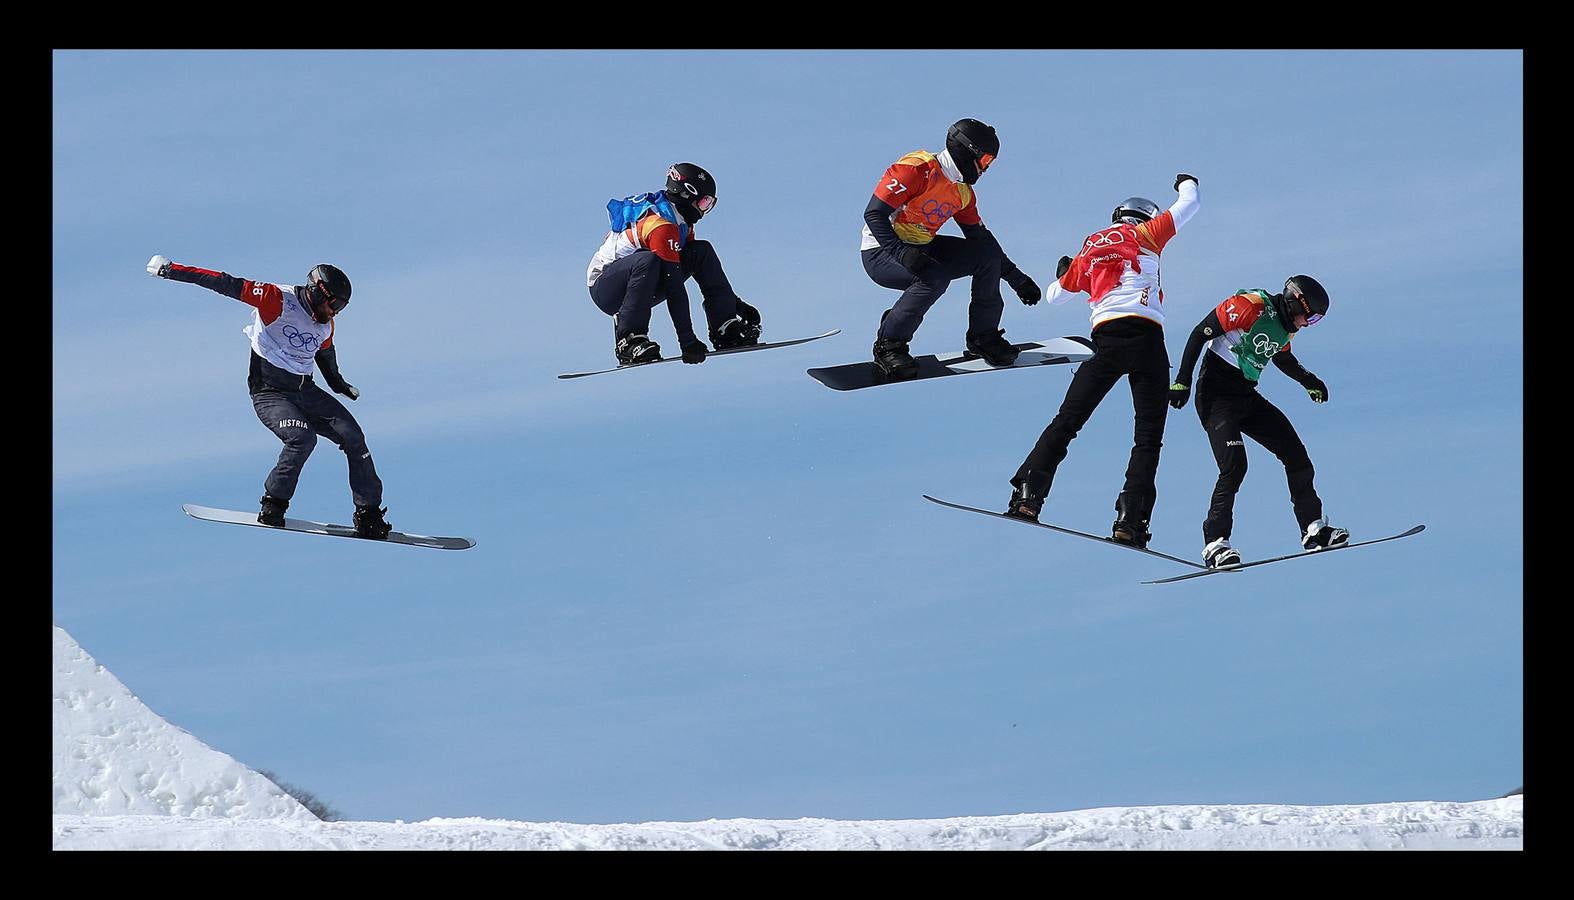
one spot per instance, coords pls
(901, 249)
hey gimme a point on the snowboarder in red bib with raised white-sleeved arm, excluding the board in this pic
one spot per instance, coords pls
(1118, 270)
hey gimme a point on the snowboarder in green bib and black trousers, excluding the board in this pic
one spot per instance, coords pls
(1244, 334)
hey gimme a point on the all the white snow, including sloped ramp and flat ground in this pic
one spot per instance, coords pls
(127, 780)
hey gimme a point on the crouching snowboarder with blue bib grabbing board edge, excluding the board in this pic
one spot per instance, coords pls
(645, 260)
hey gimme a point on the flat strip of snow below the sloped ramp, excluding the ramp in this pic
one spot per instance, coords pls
(1483, 825)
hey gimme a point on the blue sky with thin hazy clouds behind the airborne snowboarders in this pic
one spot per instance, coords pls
(714, 591)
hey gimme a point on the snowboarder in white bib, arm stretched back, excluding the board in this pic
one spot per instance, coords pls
(292, 331)
